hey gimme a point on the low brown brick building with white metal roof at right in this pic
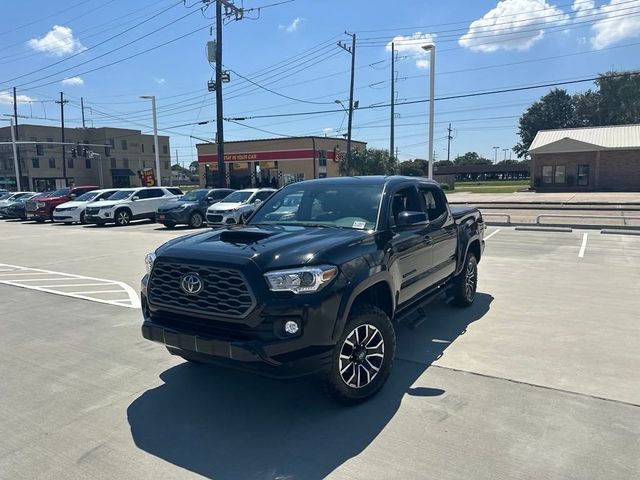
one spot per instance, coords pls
(586, 159)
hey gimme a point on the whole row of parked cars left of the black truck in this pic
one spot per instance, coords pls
(166, 205)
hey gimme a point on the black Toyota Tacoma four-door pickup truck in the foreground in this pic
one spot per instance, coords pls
(315, 289)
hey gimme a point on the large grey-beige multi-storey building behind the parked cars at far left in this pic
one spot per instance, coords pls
(119, 154)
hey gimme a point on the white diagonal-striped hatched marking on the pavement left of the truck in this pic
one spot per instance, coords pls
(17, 276)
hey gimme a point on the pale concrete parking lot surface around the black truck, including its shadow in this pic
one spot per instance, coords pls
(540, 378)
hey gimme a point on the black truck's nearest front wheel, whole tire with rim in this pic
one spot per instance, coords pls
(350, 366)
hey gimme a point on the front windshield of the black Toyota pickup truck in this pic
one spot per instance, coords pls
(327, 205)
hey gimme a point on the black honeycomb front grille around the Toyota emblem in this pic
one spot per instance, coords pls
(225, 292)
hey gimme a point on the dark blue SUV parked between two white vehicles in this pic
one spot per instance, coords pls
(190, 209)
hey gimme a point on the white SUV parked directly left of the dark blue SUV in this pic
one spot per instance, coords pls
(128, 204)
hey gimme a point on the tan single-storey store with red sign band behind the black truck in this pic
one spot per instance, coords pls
(273, 162)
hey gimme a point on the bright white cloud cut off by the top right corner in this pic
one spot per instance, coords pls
(615, 24)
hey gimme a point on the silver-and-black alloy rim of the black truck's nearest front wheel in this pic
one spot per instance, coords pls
(361, 356)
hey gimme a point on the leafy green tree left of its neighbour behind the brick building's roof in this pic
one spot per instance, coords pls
(554, 110)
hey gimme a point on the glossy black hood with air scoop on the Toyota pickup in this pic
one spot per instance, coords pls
(270, 247)
